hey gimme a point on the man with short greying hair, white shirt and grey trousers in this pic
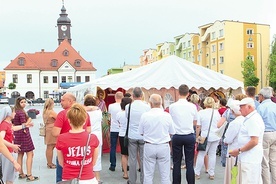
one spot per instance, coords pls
(136, 142)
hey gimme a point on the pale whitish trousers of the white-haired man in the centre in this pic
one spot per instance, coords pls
(159, 154)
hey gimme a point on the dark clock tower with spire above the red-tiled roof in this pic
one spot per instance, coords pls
(64, 25)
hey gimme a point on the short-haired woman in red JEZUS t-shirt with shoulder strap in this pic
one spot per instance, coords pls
(71, 148)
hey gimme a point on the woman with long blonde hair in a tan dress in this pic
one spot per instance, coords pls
(49, 117)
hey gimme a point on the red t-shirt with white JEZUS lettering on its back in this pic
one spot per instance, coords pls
(72, 146)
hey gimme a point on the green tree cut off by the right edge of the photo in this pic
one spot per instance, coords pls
(272, 65)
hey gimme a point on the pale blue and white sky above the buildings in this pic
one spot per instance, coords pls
(110, 33)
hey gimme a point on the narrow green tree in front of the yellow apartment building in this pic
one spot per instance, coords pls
(250, 79)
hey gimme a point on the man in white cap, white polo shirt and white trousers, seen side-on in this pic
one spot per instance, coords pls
(250, 142)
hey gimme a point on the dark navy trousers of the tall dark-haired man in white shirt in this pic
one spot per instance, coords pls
(188, 141)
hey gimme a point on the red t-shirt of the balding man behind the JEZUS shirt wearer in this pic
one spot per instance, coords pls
(63, 123)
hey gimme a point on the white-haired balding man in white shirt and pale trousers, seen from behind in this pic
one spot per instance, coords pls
(156, 126)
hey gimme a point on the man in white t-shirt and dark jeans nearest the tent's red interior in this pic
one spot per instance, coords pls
(113, 109)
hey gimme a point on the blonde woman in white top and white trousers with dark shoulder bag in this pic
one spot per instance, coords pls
(205, 117)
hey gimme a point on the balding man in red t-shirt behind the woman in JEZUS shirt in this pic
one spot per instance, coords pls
(62, 124)
